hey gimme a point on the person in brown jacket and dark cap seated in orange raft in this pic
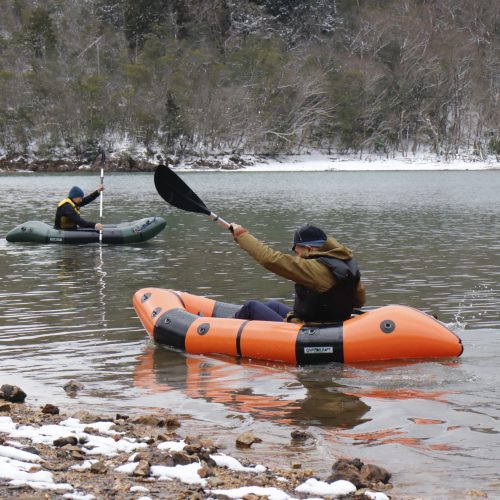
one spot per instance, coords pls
(327, 279)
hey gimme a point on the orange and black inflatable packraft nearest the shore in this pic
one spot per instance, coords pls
(200, 325)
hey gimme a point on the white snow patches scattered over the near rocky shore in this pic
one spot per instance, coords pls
(22, 468)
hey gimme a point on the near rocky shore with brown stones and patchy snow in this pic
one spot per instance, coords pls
(45, 451)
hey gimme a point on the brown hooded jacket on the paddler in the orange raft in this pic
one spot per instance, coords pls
(308, 272)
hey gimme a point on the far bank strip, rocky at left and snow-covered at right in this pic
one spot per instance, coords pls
(304, 162)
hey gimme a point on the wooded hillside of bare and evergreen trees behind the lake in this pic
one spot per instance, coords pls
(249, 76)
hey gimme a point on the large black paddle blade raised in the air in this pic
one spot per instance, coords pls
(176, 192)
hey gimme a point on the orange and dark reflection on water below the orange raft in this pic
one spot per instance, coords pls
(266, 391)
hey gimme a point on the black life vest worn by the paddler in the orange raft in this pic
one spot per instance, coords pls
(335, 304)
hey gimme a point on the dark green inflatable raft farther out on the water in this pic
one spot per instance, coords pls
(117, 234)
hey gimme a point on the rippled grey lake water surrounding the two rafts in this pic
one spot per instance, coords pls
(429, 240)
